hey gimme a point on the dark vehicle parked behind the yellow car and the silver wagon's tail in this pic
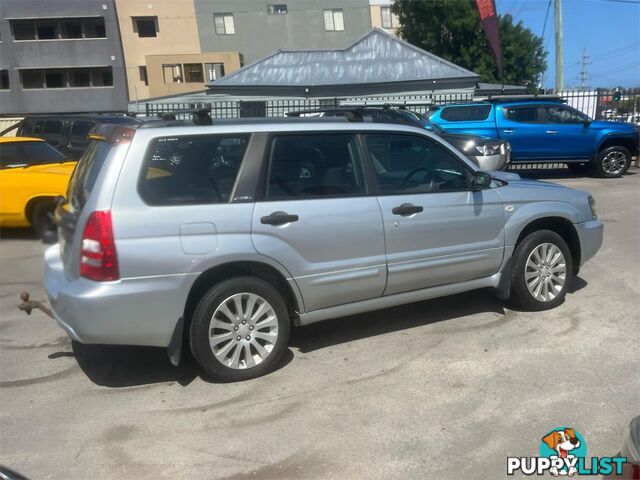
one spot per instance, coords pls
(67, 133)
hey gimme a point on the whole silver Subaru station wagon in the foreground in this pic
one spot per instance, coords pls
(222, 237)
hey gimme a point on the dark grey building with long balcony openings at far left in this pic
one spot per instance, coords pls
(60, 56)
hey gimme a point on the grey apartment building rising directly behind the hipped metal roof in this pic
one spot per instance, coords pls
(258, 28)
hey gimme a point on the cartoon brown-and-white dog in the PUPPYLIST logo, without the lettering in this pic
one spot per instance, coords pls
(565, 444)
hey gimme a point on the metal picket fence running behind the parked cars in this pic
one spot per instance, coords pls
(599, 104)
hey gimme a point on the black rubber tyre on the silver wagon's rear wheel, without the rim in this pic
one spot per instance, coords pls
(201, 323)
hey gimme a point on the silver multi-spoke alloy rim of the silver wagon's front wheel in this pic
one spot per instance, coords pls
(545, 272)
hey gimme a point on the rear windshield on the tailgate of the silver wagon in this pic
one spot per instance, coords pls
(86, 172)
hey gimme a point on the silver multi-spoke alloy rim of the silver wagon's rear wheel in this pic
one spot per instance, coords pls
(243, 331)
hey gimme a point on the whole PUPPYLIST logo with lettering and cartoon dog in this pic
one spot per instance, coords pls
(563, 451)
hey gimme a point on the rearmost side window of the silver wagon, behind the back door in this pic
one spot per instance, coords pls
(191, 170)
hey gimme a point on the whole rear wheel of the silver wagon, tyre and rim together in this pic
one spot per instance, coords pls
(240, 329)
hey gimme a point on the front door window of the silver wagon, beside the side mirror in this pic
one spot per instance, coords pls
(408, 164)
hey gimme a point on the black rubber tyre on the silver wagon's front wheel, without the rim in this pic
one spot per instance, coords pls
(520, 295)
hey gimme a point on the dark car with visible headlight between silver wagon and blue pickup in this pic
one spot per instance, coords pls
(488, 153)
